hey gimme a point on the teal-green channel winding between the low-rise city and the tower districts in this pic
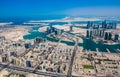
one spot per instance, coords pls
(87, 44)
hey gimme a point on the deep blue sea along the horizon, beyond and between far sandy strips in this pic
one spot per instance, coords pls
(21, 20)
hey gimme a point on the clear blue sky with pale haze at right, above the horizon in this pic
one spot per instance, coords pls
(60, 7)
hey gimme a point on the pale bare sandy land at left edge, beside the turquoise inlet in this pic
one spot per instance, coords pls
(14, 33)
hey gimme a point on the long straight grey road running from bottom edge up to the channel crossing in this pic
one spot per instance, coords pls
(72, 58)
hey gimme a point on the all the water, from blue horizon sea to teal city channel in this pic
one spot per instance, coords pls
(87, 44)
